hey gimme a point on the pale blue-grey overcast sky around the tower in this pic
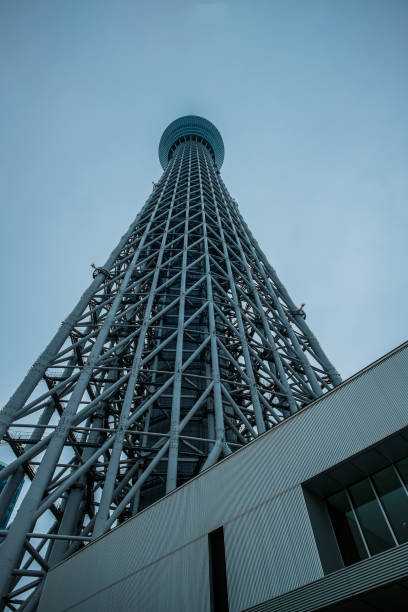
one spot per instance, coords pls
(310, 98)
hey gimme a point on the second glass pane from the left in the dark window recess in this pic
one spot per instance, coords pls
(370, 517)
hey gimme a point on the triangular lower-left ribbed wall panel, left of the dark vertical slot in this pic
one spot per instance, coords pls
(147, 590)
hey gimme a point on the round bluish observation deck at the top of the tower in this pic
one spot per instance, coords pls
(187, 127)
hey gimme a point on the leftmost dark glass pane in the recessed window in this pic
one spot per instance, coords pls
(345, 527)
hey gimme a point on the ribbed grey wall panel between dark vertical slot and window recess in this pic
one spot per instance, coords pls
(270, 550)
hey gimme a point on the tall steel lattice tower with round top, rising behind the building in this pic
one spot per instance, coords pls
(184, 347)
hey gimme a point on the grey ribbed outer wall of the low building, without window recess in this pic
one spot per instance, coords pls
(158, 560)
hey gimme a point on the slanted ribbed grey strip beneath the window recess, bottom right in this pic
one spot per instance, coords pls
(372, 573)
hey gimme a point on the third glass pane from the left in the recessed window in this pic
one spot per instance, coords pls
(394, 500)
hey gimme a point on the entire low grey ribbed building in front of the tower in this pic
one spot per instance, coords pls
(314, 516)
